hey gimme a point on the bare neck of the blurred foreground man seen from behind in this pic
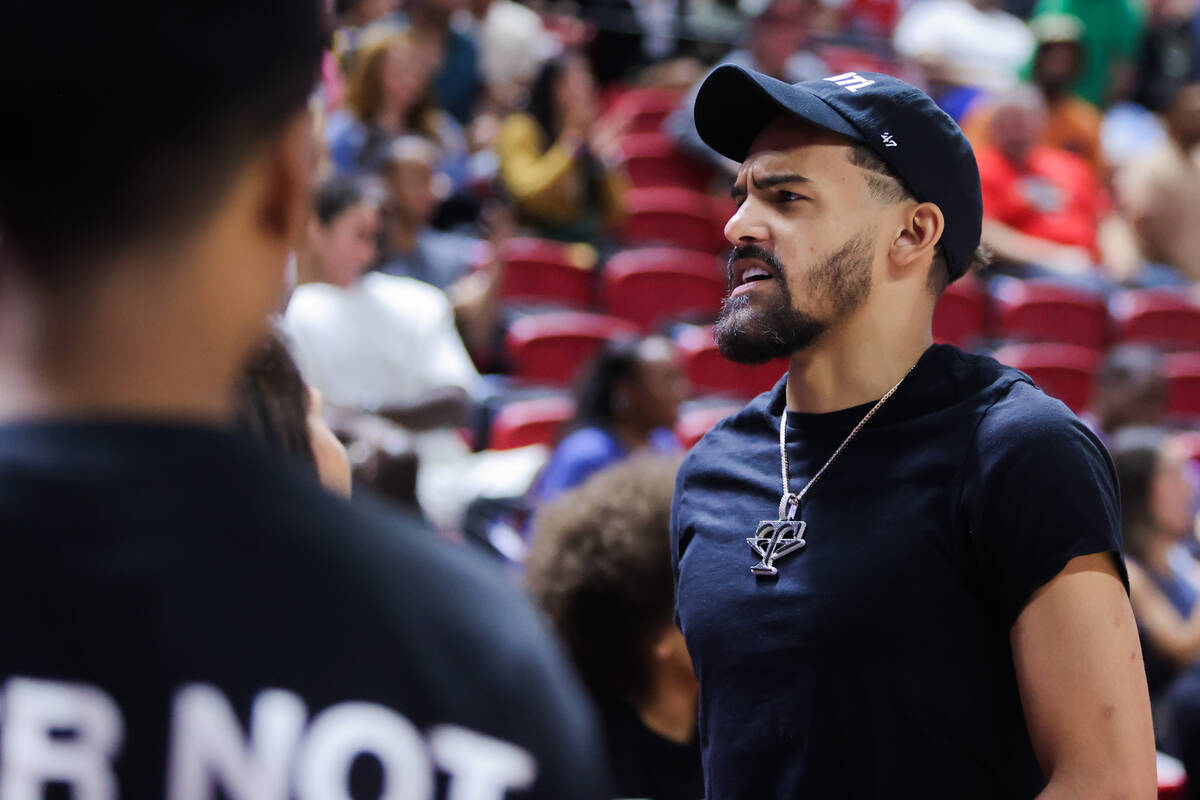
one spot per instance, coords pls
(95, 358)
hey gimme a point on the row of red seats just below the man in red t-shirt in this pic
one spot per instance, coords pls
(1042, 312)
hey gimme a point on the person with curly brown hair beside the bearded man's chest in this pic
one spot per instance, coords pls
(601, 567)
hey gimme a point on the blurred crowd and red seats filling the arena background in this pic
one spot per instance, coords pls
(515, 252)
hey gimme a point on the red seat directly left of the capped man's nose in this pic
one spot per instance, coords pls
(673, 216)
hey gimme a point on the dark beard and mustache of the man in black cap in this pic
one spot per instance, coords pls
(755, 332)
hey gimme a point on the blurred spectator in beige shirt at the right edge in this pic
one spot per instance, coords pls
(1160, 194)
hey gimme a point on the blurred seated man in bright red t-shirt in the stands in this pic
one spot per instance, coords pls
(1043, 207)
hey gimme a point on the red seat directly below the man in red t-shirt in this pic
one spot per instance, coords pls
(1045, 312)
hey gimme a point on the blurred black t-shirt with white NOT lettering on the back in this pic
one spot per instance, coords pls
(181, 612)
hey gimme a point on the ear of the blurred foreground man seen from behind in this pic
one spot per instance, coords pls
(287, 200)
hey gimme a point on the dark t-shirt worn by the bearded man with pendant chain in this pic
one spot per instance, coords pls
(878, 664)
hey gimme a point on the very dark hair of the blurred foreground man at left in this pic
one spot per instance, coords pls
(136, 117)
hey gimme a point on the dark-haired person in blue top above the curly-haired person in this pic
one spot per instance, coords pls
(628, 402)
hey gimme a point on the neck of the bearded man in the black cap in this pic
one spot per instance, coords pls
(854, 365)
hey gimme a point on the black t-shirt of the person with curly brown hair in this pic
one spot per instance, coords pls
(646, 765)
